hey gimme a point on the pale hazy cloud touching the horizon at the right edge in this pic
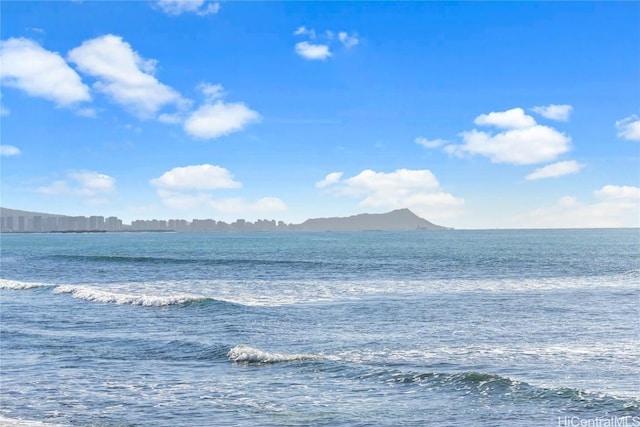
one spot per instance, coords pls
(613, 206)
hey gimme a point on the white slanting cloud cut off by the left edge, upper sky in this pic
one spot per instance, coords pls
(41, 73)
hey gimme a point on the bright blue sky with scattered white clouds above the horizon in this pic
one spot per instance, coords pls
(471, 114)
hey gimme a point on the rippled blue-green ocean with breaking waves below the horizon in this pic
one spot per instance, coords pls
(421, 328)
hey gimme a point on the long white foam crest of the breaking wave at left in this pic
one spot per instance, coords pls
(93, 294)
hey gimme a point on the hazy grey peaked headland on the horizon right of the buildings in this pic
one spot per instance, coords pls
(400, 219)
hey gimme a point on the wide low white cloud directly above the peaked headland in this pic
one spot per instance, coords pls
(418, 190)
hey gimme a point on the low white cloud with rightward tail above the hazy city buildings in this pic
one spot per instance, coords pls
(190, 187)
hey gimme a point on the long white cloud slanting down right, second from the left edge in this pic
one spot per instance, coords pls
(123, 75)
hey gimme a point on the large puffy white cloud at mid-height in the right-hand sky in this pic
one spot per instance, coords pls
(522, 142)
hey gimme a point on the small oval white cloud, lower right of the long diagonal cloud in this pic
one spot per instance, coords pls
(215, 120)
